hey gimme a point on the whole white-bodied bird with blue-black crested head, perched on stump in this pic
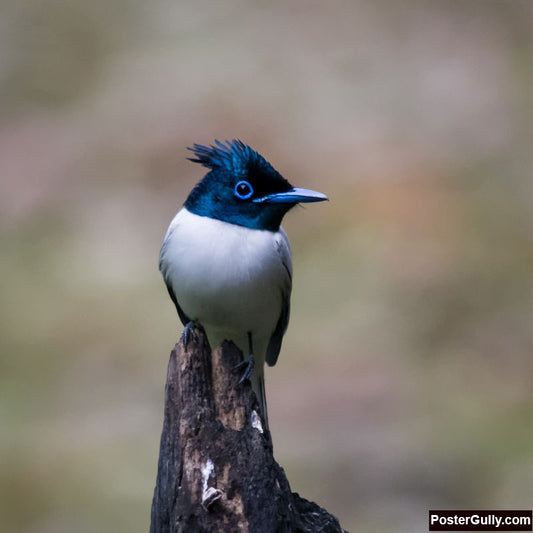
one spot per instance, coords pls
(226, 260)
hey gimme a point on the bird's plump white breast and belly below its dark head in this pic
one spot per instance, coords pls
(230, 278)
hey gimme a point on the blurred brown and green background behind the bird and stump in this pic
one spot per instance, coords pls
(406, 377)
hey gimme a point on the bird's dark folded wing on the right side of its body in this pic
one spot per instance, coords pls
(274, 345)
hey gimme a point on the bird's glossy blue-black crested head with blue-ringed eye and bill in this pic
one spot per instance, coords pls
(243, 188)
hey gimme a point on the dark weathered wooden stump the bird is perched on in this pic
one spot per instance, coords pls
(216, 470)
